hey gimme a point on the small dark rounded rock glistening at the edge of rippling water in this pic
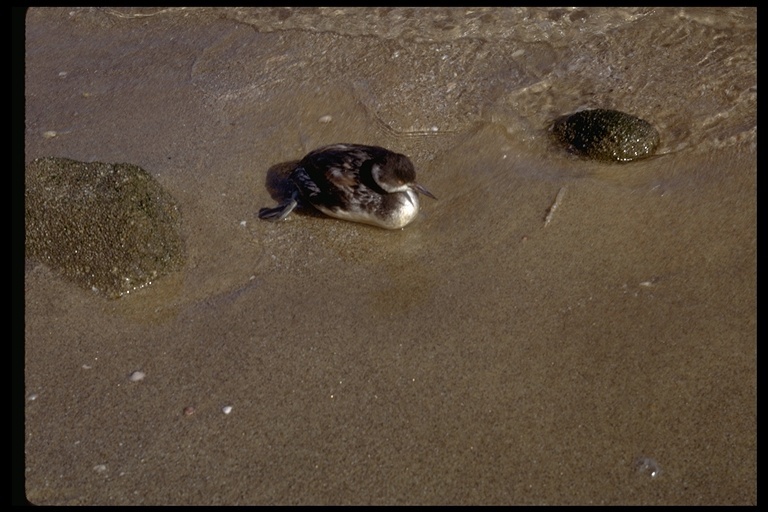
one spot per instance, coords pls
(607, 135)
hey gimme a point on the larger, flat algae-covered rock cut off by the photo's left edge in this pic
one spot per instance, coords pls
(108, 227)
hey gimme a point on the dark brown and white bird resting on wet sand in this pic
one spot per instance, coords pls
(355, 182)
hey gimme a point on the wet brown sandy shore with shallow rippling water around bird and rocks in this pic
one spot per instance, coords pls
(475, 357)
